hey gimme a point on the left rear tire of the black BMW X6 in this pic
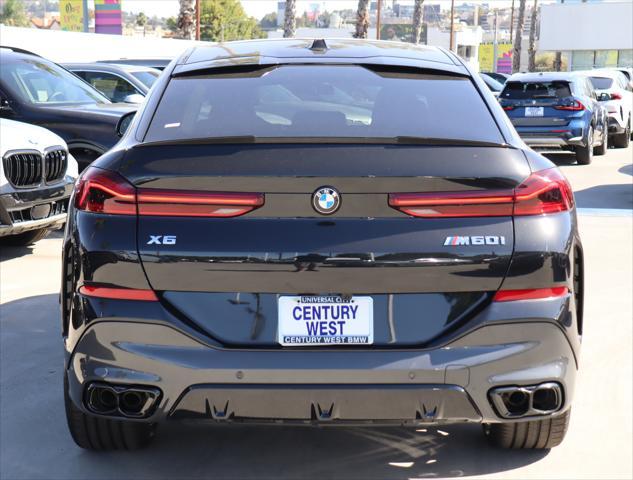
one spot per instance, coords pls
(101, 434)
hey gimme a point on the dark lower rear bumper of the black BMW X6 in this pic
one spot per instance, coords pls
(449, 383)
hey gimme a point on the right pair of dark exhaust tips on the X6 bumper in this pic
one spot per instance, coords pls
(517, 402)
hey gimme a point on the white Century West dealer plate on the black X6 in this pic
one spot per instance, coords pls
(325, 320)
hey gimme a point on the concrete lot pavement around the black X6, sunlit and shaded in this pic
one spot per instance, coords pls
(35, 444)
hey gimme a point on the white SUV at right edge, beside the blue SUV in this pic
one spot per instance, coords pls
(617, 98)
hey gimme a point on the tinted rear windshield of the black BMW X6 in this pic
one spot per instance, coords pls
(322, 101)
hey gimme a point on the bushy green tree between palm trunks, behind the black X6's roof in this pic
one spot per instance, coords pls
(225, 20)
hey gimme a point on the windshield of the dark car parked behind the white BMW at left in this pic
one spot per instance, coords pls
(38, 81)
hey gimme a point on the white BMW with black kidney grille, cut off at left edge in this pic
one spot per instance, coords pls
(37, 175)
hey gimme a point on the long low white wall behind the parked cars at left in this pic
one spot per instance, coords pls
(60, 46)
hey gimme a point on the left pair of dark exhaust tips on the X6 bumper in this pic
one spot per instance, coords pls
(121, 400)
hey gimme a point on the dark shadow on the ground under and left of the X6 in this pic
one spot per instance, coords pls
(35, 442)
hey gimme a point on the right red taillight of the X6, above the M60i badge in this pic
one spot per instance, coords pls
(543, 192)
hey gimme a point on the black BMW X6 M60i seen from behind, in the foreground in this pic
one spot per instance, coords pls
(321, 232)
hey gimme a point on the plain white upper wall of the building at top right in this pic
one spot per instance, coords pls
(587, 26)
